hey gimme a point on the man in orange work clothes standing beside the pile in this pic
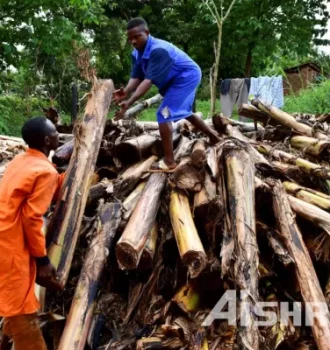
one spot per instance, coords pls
(26, 191)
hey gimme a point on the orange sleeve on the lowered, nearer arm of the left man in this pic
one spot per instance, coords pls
(33, 210)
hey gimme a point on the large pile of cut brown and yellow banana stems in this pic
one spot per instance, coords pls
(144, 258)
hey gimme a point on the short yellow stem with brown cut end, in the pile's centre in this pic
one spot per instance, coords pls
(189, 244)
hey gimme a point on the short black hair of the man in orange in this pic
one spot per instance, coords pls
(34, 132)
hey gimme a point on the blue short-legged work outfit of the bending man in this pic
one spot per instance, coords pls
(175, 74)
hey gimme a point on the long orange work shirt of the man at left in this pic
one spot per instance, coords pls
(26, 191)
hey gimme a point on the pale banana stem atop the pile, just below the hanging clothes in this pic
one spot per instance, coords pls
(288, 120)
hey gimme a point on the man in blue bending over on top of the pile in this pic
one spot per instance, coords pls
(177, 77)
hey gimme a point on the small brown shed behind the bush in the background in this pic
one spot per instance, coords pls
(299, 77)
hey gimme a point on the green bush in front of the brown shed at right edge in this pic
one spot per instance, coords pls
(314, 100)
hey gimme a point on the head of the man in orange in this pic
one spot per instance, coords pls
(41, 134)
